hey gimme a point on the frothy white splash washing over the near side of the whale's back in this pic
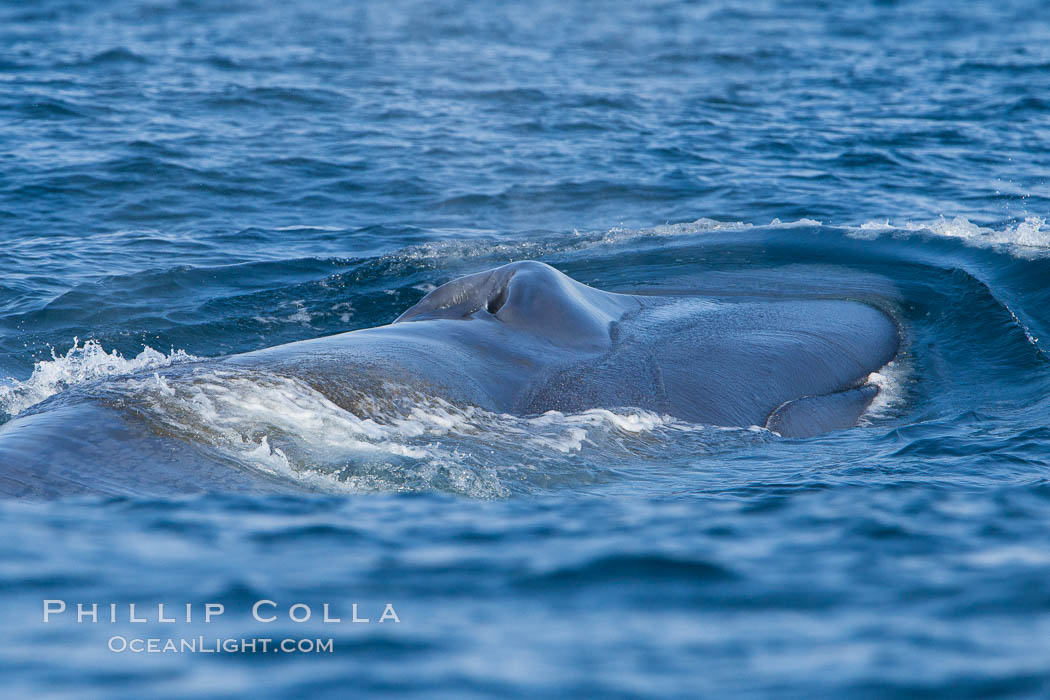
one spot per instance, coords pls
(395, 439)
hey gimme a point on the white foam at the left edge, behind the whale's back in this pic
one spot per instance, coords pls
(80, 365)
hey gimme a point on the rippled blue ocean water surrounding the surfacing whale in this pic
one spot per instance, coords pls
(193, 179)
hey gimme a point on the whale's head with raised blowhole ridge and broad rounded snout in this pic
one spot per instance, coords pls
(797, 367)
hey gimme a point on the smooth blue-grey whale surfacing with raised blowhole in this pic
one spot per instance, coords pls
(521, 340)
